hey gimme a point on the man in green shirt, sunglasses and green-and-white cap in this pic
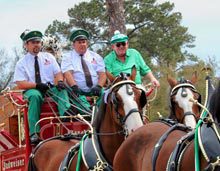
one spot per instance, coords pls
(122, 59)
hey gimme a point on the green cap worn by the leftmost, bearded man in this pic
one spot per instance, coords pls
(30, 35)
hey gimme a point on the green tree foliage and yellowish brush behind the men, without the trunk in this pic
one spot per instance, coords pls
(153, 29)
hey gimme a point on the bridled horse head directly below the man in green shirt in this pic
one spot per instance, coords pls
(126, 101)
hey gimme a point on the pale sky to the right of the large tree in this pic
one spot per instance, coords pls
(202, 17)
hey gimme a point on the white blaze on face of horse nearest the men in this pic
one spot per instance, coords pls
(133, 121)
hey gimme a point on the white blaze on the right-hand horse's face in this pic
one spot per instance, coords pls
(187, 106)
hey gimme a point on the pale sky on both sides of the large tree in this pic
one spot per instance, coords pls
(202, 17)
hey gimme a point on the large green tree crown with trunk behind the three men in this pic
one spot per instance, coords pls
(153, 29)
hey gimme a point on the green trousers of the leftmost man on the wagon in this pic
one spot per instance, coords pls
(35, 100)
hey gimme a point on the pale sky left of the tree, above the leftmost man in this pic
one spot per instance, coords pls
(18, 15)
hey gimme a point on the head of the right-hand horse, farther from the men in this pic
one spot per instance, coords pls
(182, 109)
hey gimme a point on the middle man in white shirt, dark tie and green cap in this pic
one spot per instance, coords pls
(83, 69)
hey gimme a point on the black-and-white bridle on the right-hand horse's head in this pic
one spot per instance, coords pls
(184, 94)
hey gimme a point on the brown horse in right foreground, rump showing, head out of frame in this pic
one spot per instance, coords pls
(140, 150)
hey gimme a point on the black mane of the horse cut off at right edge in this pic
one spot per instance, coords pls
(214, 106)
